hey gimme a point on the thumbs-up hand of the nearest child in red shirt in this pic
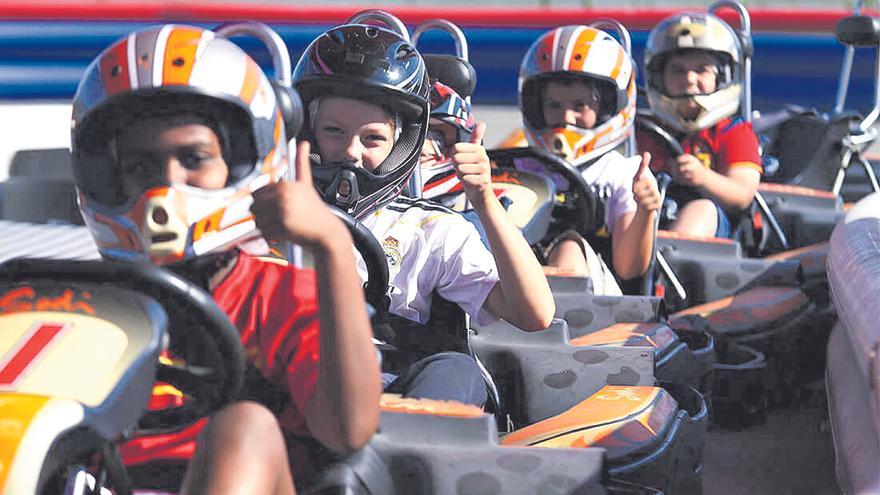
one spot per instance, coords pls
(293, 210)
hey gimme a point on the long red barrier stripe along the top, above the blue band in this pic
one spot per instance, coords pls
(763, 19)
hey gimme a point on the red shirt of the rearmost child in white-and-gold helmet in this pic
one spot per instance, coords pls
(729, 144)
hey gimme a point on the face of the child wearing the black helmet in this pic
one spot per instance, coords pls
(353, 131)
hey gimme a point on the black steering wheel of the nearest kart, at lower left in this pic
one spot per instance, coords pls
(200, 332)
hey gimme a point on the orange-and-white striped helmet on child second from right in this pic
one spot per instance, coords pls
(571, 53)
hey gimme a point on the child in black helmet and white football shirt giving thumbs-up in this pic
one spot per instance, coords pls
(366, 92)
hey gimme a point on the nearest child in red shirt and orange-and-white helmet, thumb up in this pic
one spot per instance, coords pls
(166, 157)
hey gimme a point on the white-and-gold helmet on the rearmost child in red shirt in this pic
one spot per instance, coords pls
(694, 31)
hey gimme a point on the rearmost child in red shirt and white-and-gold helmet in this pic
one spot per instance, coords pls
(693, 65)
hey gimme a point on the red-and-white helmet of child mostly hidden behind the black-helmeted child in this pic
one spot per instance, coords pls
(451, 122)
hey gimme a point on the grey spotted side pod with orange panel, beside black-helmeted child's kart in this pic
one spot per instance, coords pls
(545, 380)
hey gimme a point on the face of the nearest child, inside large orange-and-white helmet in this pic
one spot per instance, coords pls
(158, 151)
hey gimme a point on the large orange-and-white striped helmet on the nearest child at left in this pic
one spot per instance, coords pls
(166, 72)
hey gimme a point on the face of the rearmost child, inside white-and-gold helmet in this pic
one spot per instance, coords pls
(690, 73)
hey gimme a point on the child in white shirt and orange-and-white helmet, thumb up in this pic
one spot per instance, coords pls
(578, 99)
